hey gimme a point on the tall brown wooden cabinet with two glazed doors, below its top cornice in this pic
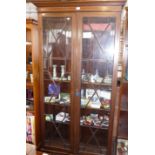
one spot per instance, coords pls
(78, 74)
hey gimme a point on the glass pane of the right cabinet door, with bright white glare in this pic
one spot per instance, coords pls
(96, 82)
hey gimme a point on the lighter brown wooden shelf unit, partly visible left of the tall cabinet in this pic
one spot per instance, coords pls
(31, 78)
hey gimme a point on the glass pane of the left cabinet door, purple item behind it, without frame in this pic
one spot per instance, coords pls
(57, 78)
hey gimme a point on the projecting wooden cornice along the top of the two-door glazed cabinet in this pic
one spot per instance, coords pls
(51, 3)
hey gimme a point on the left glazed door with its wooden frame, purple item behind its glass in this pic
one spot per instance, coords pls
(56, 81)
